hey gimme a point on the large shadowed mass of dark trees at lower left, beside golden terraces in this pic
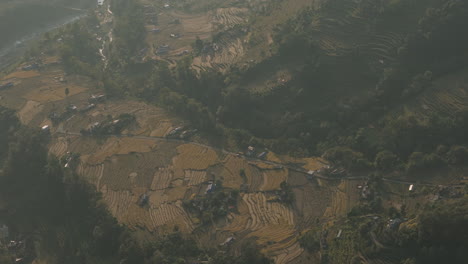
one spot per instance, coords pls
(58, 214)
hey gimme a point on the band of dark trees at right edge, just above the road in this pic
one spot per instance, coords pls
(405, 142)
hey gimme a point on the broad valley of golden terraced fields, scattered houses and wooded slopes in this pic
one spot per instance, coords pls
(184, 131)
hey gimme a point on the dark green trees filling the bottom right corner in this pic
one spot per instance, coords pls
(432, 236)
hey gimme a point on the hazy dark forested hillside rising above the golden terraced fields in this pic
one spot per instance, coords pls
(355, 72)
